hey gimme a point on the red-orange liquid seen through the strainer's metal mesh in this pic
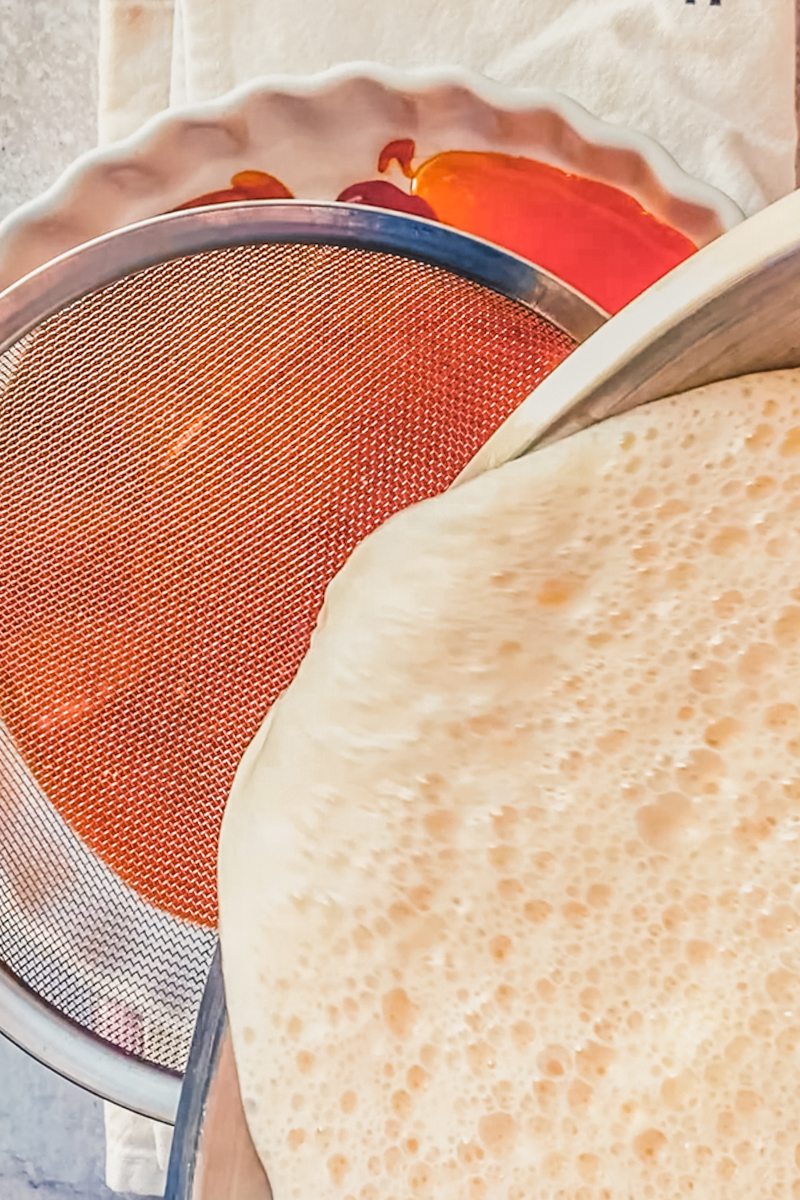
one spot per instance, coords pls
(188, 459)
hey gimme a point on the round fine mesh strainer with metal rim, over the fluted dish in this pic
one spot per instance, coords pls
(200, 418)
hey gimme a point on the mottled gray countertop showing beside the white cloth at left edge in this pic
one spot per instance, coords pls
(52, 1143)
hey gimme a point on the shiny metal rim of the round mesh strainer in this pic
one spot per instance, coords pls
(39, 1029)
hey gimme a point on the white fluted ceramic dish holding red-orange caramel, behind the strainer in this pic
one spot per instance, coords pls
(323, 137)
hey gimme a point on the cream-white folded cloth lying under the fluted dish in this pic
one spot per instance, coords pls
(713, 81)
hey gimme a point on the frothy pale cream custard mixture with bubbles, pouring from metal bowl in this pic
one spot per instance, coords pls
(512, 881)
